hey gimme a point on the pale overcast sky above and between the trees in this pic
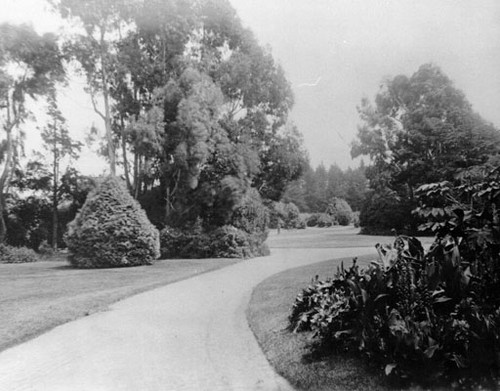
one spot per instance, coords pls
(334, 52)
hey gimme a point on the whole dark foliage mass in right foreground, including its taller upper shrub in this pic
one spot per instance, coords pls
(430, 317)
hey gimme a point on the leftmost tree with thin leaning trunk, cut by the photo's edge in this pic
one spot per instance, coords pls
(30, 65)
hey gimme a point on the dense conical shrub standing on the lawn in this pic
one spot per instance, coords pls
(111, 230)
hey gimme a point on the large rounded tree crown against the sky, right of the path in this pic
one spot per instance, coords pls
(421, 129)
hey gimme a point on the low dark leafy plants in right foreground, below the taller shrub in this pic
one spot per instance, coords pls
(410, 313)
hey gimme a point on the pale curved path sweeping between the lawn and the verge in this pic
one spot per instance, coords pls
(190, 335)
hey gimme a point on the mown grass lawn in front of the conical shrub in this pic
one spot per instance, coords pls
(36, 297)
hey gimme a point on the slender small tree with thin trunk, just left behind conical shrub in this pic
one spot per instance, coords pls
(59, 144)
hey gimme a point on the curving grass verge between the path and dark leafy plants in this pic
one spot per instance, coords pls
(290, 353)
